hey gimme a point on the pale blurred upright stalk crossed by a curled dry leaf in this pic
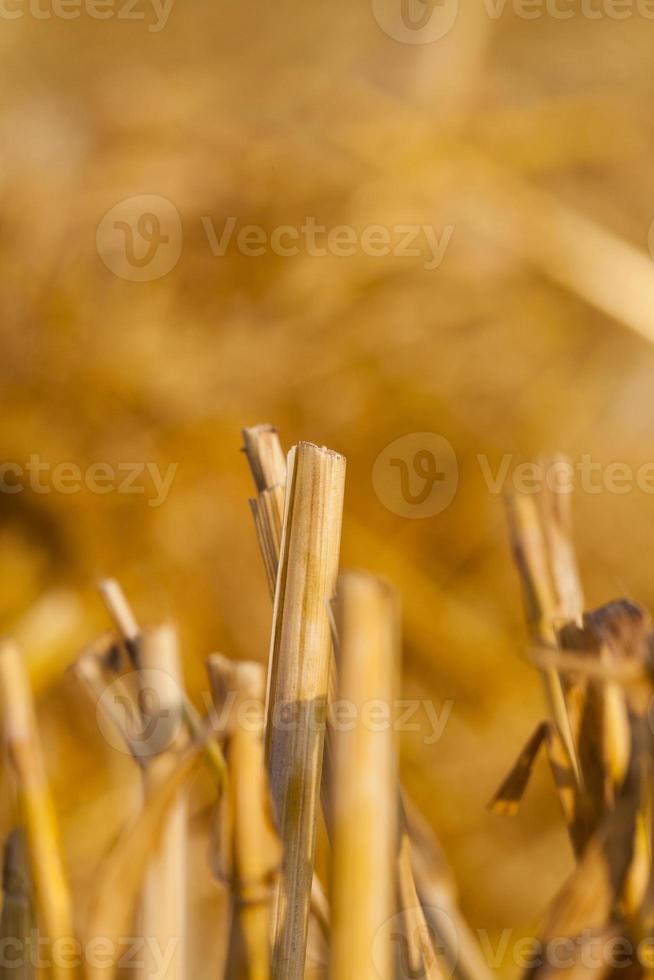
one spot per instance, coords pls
(163, 897)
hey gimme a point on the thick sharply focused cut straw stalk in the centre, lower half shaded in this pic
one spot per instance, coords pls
(298, 679)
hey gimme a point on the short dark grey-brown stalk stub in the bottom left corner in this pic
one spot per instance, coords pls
(17, 920)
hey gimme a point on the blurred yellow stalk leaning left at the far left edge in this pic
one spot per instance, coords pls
(52, 901)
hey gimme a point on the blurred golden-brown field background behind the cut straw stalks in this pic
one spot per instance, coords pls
(534, 140)
